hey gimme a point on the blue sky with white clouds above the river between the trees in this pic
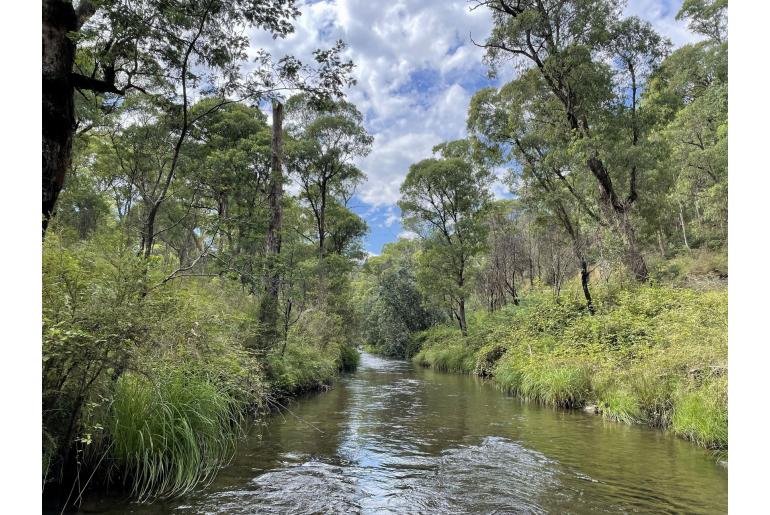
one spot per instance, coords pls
(416, 71)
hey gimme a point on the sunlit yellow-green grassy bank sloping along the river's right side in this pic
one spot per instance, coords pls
(654, 355)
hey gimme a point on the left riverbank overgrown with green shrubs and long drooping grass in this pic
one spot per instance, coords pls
(147, 389)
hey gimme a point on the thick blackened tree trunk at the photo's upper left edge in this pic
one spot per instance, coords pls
(59, 19)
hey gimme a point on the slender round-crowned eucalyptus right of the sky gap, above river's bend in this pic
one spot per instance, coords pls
(443, 200)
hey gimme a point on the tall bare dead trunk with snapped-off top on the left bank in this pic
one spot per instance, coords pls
(268, 313)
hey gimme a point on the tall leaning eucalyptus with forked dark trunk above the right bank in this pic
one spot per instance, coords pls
(567, 43)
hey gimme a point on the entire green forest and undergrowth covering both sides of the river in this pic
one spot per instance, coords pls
(202, 262)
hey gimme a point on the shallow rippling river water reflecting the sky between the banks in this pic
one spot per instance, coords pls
(394, 438)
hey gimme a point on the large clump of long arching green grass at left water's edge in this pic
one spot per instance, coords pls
(170, 434)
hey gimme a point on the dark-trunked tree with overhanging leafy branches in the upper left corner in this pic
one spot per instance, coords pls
(163, 49)
